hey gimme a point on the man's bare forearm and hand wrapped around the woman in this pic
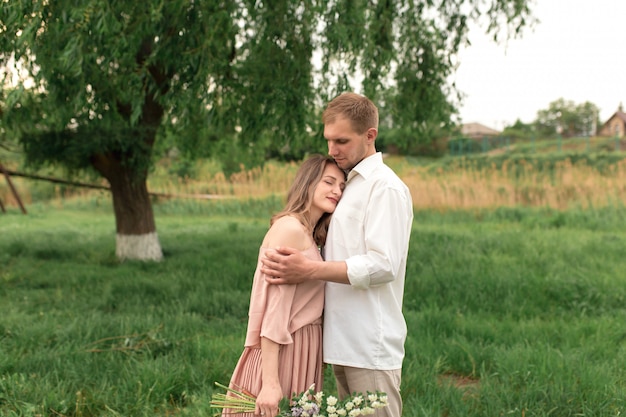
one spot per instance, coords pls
(289, 266)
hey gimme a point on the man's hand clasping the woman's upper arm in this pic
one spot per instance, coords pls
(286, 266)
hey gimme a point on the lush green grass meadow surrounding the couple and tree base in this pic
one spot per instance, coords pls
(527, 304)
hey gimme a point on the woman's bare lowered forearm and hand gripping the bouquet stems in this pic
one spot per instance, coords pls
(271, 392)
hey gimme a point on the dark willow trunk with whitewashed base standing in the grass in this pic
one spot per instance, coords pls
(136, 236)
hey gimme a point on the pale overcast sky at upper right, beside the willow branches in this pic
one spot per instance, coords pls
(577, 52)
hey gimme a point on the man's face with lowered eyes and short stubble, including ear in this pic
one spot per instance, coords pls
(345, 145)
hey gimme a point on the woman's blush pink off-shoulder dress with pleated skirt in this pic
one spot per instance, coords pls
(290, 315)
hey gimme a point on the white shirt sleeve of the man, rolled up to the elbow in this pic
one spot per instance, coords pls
(387, 228)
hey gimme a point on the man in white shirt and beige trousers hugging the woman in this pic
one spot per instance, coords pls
(365, 253)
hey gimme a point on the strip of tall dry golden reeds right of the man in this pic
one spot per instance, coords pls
(567, 185)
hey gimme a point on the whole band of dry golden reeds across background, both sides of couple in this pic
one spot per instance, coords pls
(558, 181)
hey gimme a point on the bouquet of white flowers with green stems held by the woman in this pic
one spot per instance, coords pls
(305, 404)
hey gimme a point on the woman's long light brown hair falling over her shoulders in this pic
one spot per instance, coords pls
(300, 197)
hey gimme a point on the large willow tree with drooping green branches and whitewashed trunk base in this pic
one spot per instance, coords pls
(101, 80)
